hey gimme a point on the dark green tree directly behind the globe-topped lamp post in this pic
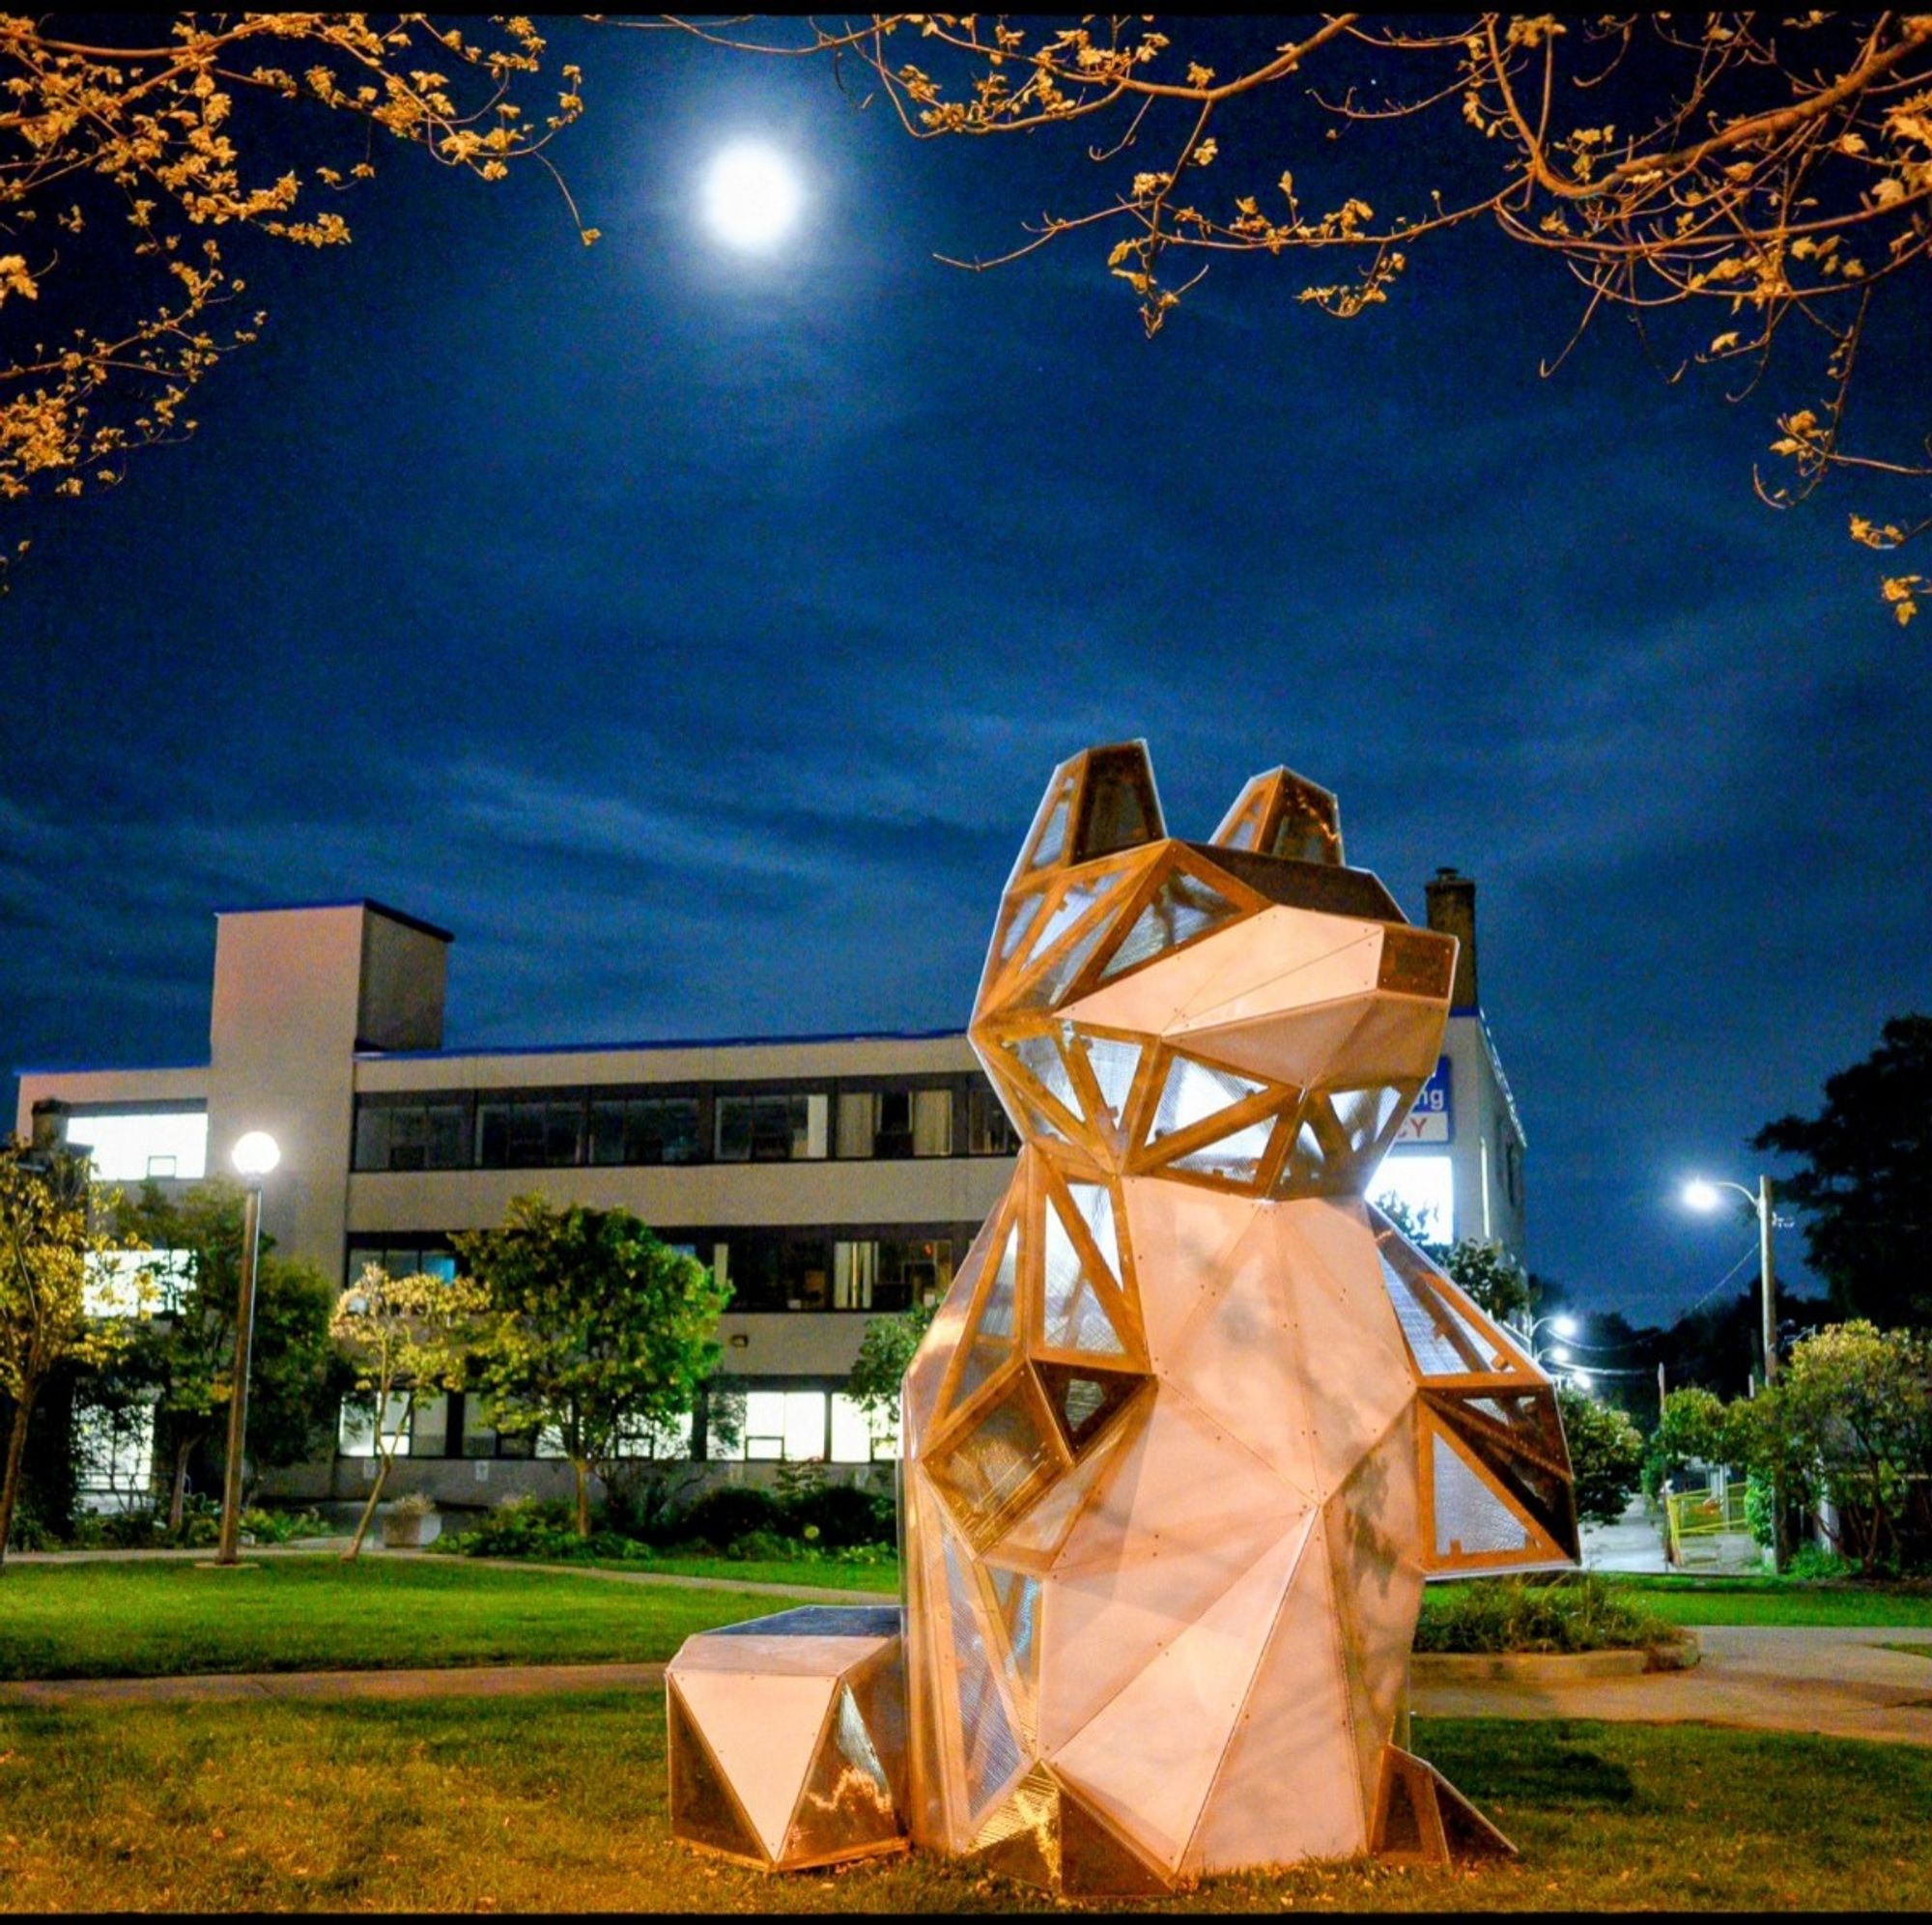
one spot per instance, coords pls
(185, 1356)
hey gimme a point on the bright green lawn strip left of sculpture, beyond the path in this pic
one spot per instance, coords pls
(140, 1621)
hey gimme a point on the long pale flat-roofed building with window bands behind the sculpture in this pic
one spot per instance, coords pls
(828, 1178)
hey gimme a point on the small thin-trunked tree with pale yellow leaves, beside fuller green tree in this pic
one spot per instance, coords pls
(405, 1338)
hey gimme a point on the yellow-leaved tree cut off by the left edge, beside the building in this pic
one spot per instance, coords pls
(51, 1253)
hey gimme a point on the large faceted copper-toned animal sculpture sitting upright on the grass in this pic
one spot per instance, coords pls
(1195, 1422)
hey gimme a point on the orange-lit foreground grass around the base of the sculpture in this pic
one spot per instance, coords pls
(559, 1802)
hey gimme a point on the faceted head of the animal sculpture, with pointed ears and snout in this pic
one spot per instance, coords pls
(1185, 1010)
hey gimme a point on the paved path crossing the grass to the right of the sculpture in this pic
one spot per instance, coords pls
(1836, 1682)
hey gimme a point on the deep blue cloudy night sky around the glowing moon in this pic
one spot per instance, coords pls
(695, 635)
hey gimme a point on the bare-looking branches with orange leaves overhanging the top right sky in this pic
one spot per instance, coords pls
(1769, 177)
